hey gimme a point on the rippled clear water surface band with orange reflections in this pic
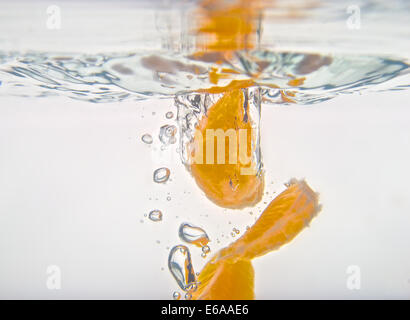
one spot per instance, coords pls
(102, 78)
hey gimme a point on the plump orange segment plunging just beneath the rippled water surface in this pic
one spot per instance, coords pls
(223, 164)
